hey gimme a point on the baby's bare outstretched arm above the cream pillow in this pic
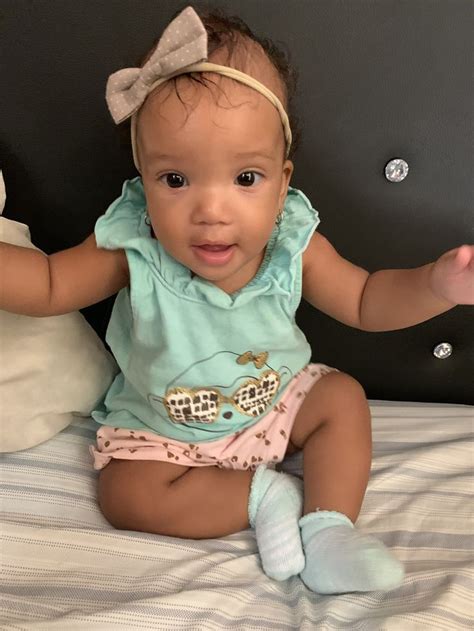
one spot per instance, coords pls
(34, 284)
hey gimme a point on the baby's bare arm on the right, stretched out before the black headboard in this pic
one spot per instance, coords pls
(383, 301)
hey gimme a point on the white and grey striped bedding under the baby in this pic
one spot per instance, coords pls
(63, 567)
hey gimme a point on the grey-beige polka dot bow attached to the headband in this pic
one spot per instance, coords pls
(183, 43)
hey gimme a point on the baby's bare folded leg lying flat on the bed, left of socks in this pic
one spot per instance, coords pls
(174, 500)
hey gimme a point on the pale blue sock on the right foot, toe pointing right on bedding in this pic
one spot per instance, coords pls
(340, 559)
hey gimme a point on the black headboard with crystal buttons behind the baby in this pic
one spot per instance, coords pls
(379, 80)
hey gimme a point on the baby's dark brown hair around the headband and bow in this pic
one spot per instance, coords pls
(228, 32)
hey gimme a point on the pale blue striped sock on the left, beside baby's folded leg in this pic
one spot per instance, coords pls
(275, 507)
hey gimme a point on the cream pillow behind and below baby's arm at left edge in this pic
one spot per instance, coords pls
(50, 368)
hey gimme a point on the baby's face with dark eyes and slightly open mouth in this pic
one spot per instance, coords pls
(201, 189)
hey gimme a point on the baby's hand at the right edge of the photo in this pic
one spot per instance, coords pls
(452, 276)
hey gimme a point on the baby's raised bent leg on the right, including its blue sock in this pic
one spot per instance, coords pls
(333, 428)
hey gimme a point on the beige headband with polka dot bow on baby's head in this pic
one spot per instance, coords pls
(182, 48)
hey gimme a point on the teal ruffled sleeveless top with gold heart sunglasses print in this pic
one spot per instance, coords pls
(196, 363)
